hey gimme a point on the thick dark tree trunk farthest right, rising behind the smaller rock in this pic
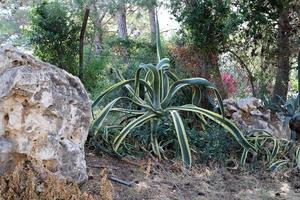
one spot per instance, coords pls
(283, 59)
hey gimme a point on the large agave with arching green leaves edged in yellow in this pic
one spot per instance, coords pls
(152, 92)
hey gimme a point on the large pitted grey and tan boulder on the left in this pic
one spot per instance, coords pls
(45, 113)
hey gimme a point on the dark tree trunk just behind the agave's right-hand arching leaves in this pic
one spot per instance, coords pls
(212, 72)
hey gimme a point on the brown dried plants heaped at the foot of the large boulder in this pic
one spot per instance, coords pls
(30, 180)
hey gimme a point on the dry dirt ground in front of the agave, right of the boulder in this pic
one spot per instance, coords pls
(147, 179)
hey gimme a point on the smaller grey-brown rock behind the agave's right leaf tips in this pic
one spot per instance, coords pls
(250, 114)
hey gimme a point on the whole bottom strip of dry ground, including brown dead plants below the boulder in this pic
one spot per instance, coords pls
(152, 181)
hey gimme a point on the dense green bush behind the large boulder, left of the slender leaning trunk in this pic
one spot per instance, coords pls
(54, 35)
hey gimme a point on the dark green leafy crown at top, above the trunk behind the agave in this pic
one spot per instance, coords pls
(209, 23)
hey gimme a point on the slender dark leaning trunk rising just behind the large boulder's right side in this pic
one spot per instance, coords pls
(82, 32)
